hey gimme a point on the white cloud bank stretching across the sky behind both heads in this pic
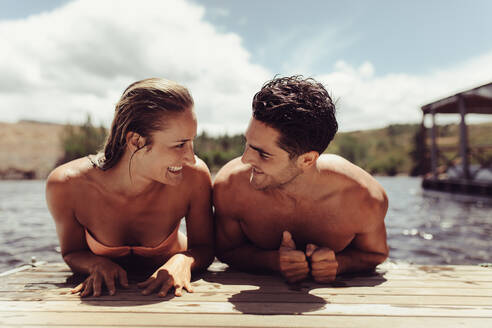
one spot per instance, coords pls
(77, 59)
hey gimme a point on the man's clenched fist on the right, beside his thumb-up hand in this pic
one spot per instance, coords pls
(324, 265)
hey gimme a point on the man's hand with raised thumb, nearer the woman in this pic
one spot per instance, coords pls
(293, 264)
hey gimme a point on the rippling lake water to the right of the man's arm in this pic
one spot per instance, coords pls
(434, 227)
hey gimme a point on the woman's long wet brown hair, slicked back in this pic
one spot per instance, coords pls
(143, 109)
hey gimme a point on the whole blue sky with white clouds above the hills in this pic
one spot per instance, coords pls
(380, 60)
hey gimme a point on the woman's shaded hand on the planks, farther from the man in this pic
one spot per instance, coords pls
(105, 271)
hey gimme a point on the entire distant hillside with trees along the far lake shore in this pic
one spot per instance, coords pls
(32, 149)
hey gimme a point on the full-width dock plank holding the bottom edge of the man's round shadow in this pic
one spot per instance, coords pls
(247, 307)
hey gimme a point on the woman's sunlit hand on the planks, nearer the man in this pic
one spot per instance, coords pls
(176, 272)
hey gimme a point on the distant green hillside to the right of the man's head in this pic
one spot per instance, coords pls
(395, 149)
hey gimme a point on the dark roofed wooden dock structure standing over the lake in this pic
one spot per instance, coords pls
(465, 180)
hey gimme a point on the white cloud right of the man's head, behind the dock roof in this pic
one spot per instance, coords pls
(368, 101)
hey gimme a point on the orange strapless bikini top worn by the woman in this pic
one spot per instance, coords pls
(167, 246)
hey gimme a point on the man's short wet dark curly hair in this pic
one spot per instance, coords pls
(301, 110)
